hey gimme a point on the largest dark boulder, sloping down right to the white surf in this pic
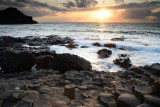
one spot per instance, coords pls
(66, 62)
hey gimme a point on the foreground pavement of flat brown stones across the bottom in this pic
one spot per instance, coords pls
(138, 87)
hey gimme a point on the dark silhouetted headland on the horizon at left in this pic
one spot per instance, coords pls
(12, 15)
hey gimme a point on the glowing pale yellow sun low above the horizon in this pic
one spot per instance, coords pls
(102, 14)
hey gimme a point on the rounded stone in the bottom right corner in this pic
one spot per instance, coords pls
(152, 99)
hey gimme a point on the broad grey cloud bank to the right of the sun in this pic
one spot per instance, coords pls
(139, 11)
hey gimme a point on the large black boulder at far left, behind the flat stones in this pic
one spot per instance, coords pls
(18, 62)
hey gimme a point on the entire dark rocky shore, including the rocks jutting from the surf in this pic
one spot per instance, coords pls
(67, 80)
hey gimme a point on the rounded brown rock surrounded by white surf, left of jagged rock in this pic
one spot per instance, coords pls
(104, 53)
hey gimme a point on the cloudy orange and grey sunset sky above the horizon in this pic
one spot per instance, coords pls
(88, 10)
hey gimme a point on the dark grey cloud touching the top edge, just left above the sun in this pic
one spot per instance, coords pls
(80, 3)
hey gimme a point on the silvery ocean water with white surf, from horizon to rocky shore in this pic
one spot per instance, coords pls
(142, 41)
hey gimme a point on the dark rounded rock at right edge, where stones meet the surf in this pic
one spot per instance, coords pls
(155, 69)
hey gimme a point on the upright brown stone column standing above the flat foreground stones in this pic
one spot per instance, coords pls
(69, 91)
